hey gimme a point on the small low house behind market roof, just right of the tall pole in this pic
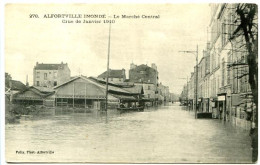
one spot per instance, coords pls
(115, 76)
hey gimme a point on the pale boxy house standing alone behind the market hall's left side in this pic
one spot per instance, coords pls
(50, 75)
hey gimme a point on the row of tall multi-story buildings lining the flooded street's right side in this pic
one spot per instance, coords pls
(223, 86)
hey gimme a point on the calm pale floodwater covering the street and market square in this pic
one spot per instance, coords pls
(168, 134)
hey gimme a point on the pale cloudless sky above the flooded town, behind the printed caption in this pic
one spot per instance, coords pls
(85, 46)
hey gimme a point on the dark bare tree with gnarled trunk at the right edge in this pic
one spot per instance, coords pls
(248, 29)
